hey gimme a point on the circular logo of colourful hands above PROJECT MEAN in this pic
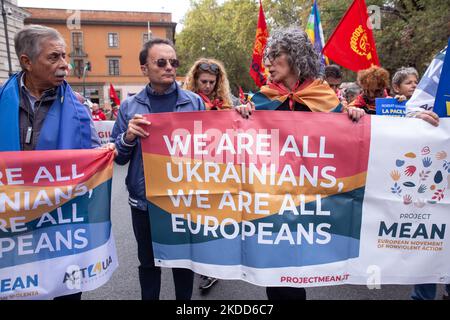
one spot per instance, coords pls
(423, 179)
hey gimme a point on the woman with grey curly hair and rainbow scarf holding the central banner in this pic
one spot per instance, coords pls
(294, 83)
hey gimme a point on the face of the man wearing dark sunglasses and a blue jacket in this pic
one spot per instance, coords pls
(160, 75)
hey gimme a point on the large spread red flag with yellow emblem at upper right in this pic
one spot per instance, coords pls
(352, 44)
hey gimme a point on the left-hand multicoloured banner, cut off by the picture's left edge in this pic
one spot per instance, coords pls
(55, 226)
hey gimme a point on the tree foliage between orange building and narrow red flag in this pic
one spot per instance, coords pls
(225, 32)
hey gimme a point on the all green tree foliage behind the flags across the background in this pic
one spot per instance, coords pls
(412, 31)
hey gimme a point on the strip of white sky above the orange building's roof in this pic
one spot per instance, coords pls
(178, 8)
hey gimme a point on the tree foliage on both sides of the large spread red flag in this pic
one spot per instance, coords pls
(412, 31)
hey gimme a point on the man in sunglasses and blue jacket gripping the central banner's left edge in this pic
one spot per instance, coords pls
(158, 62)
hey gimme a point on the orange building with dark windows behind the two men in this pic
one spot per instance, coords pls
(103, 46)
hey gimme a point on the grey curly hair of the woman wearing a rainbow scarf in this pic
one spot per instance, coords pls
(301, 56)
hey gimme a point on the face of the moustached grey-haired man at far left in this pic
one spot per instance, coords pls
(50, 67)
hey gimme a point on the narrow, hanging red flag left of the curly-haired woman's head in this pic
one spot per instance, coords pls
(257, 71)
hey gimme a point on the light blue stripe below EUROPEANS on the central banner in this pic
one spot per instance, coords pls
(252, 254)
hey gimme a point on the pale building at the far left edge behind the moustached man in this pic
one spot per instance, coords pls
(15, 17)
